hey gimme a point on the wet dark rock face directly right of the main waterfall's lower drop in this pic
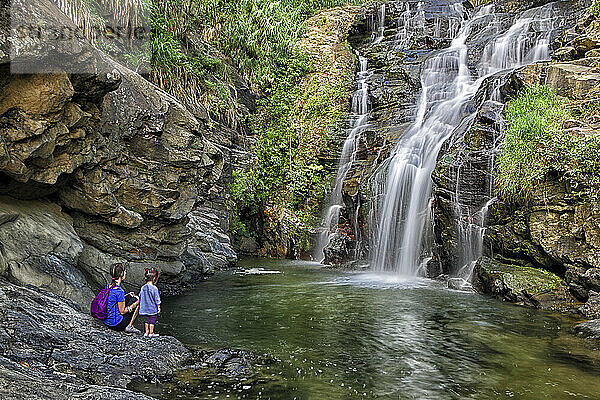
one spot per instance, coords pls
(468, 157)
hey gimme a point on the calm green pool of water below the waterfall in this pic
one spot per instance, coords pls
(342, 335)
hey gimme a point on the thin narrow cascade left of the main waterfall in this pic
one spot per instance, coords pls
(359, 121)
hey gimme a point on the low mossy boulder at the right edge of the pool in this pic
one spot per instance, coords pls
(522, 285)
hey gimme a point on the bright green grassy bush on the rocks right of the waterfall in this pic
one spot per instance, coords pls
(537, 144)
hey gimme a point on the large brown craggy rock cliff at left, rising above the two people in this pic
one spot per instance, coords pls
(129, 164)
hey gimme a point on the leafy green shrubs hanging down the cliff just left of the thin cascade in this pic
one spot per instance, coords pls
(294, 122)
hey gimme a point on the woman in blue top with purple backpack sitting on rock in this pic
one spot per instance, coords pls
(122, 309)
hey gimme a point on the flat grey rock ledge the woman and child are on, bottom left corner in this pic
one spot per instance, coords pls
(50, 349)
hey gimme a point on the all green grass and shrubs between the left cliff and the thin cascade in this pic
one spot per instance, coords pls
(198, 46)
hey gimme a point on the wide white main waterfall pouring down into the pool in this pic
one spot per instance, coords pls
(400, 240)
